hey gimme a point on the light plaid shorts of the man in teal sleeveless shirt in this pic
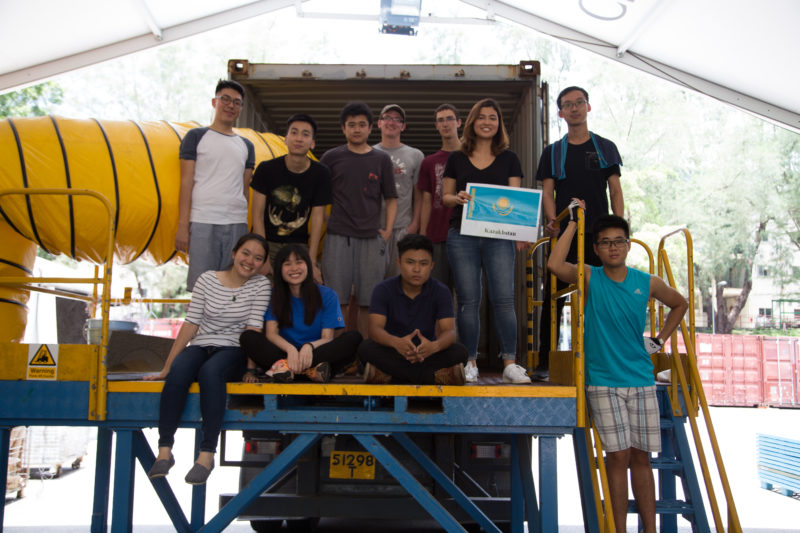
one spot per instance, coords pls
(626, 417)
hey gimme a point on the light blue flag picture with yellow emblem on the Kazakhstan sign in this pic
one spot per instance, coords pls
(506, 206)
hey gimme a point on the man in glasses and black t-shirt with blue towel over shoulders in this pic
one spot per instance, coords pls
(580, 165)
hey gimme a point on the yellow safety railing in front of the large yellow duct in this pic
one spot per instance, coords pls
(98, 385)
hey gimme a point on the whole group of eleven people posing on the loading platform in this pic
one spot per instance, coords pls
(392, 250)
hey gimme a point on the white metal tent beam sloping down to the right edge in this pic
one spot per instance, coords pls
(782, 117)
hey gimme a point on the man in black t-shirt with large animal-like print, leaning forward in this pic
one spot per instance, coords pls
(290, 193)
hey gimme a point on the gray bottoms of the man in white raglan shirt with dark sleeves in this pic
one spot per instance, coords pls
(211, 248)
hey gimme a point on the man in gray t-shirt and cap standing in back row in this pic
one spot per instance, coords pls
(406, 162)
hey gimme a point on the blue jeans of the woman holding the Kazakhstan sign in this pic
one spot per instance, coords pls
(467, 255)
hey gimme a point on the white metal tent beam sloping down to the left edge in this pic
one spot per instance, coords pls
(35, 73)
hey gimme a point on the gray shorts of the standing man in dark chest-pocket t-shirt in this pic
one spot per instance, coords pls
(353, 264)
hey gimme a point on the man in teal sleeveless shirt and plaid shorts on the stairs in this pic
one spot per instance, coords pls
(619, 374)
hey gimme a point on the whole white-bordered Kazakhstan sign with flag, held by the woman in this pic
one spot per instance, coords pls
(501, 212)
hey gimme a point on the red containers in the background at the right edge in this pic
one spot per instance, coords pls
(746, 370)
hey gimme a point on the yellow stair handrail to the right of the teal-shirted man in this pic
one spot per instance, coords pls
(691, 388)
